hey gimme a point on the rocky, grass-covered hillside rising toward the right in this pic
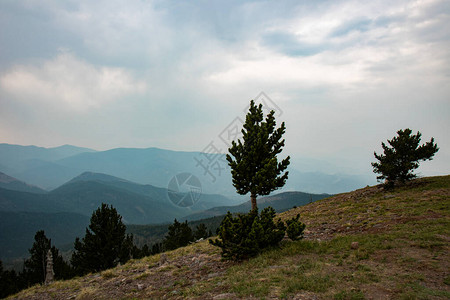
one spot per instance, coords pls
(403, 253)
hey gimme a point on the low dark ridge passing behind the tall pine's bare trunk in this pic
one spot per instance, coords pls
(280, 202)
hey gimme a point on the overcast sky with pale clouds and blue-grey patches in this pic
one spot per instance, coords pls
(343, 75)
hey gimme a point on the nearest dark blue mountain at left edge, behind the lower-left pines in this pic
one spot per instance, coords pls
(17, 230)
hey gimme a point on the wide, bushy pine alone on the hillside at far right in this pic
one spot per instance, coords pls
(402, 157)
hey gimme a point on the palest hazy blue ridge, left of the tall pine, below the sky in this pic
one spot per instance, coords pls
(153, 166)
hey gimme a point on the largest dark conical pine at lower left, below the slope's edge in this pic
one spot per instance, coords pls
(105, 243)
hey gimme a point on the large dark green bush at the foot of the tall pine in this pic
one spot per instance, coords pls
(246, 235)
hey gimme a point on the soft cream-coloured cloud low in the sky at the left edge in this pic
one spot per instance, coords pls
(69, 83)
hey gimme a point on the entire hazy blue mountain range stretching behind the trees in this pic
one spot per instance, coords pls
(57, 189)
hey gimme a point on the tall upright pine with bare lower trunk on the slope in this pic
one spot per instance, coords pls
(254, 165)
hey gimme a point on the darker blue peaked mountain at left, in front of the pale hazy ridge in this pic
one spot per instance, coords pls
(24, 213)
